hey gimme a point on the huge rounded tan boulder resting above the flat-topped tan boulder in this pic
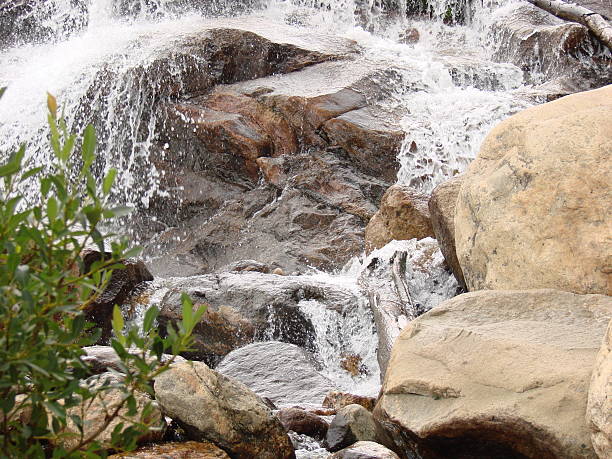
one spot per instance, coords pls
(534, 208)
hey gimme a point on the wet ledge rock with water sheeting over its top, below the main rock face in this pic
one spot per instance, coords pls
(247, 306)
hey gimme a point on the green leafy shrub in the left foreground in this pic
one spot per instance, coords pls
(44, 290)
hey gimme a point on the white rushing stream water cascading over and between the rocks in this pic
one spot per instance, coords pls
(447, 77)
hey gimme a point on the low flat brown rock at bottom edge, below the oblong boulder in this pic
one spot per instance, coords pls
(185, 450)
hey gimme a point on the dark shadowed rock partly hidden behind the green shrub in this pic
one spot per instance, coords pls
(122, 284)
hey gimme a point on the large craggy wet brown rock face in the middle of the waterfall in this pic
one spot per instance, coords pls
(284, 170)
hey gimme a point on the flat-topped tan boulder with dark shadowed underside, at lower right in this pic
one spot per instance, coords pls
(496, 374)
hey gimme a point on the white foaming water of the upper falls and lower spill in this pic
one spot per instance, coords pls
(88, 52)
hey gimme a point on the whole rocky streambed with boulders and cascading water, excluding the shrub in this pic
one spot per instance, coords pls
(302, 169)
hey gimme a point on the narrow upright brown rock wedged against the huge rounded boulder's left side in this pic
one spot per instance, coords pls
(442, 211)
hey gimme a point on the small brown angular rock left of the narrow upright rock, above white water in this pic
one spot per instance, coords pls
(403, 215)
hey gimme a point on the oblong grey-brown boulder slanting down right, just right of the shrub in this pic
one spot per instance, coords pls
(211, 407)
